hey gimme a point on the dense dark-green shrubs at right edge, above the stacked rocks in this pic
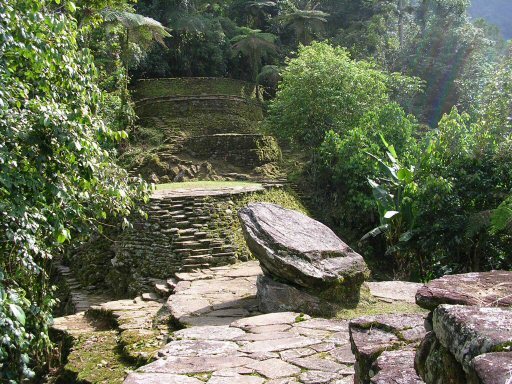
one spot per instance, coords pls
(460, 176)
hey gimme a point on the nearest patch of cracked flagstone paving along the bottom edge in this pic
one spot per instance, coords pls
(276, 348)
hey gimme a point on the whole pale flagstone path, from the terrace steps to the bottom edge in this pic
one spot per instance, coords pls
(226, 339)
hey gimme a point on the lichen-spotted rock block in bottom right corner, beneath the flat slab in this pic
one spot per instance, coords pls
(461, 347)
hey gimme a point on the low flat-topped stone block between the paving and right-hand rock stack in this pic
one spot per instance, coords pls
(370, 336)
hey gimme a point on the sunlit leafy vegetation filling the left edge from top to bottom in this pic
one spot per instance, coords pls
(57, 182)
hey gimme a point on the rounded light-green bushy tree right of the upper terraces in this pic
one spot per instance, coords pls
(323, 89)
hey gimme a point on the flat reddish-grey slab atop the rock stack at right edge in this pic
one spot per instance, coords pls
(480, 288)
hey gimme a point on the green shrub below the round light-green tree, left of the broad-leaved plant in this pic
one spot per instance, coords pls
(346, 160)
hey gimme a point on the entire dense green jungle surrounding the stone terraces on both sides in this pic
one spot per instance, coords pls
(400, 110)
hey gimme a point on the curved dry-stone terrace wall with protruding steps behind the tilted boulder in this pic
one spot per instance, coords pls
(184, 230)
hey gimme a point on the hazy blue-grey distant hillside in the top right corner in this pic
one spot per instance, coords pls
(495, 11)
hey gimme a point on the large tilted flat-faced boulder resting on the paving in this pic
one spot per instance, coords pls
(296, 249)
